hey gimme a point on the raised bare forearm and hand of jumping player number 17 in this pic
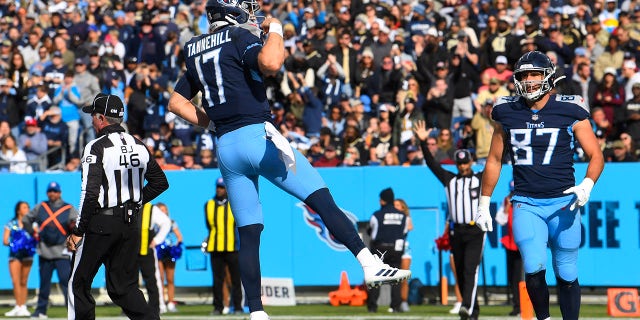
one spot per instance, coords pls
(271, 57)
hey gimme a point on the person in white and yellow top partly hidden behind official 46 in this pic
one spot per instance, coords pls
(154, 228)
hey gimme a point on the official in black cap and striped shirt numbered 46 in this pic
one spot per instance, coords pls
(114, 168)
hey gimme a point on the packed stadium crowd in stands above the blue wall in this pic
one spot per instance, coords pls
(357, 76)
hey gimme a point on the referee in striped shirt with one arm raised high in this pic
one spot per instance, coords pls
(467, 241)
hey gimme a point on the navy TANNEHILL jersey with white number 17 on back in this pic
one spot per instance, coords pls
(224, 66)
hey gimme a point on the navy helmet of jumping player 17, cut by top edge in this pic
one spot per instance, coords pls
(231, 12)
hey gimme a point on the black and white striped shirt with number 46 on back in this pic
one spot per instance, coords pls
(114, 169)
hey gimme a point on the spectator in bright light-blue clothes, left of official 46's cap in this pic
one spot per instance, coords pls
(67, 97)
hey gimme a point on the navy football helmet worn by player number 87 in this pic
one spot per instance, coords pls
(533, 90)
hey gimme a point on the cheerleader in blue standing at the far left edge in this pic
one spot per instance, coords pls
(21, 250)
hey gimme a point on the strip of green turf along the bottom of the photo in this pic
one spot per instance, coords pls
(330, 312)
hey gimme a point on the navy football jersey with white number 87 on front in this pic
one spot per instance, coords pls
(540, 143)
